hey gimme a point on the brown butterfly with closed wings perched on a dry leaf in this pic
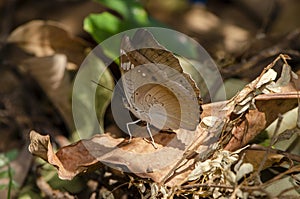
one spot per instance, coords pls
(157, 90)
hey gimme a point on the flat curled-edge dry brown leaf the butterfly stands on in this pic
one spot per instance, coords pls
(138, 157)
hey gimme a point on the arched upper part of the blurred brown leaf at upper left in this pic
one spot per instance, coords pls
(45, 38)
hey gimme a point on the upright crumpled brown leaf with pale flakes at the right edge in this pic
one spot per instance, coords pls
(263, 108)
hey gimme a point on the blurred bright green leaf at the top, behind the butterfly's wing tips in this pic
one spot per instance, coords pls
(133, 15)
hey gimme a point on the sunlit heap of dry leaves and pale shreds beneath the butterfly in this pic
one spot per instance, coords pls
(195, 162)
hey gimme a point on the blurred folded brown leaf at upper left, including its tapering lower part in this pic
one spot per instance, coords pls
(54, 50)
